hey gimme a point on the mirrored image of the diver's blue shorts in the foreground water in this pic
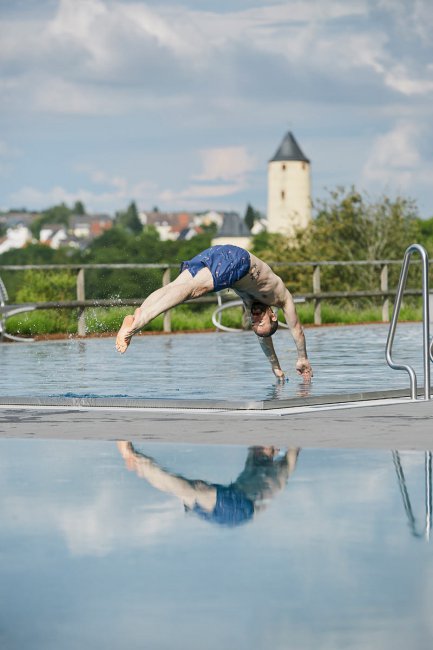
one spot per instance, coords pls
(232, 507)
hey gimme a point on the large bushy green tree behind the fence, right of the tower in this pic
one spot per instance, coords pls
(348, 226)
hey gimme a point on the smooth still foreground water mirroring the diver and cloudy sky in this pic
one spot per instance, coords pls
(92, 555)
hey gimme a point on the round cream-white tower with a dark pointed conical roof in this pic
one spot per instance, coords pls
(289, 189)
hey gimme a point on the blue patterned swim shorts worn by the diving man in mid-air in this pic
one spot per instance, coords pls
(227, 263)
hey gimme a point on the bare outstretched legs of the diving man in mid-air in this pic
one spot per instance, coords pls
(182, 288)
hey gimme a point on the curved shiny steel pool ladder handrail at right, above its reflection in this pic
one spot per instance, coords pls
(427, 349)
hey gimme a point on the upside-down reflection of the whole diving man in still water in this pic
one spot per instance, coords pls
(265, 473)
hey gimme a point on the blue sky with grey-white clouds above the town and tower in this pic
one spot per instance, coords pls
(181, 104)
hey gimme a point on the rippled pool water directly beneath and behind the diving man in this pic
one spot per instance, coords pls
(226, 366)
